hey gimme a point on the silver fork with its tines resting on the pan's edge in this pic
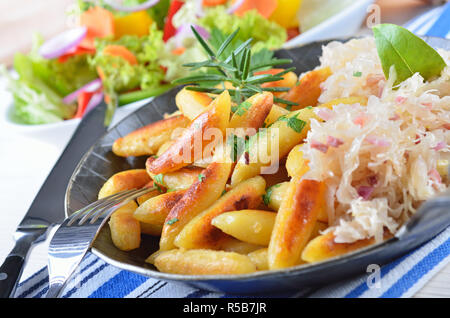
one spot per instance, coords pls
(76, 234)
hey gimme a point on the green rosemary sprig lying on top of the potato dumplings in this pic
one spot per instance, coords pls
(234, 62)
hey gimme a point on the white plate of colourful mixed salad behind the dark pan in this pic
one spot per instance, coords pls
(126, 52)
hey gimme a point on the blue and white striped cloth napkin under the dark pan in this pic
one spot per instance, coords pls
(401, 278)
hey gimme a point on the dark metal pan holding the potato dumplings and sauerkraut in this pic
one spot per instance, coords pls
(100, 163)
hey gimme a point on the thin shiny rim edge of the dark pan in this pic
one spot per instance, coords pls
(303, 269)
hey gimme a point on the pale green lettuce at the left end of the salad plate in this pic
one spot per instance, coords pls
(41, 85)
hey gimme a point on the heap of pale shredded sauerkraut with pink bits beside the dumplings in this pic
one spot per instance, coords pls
(380, 161)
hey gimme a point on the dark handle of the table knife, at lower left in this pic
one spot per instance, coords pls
(12, 267)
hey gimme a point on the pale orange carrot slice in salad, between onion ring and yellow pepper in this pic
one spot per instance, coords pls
(99, 23)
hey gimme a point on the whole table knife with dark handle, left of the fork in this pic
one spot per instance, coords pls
(47, 207)
